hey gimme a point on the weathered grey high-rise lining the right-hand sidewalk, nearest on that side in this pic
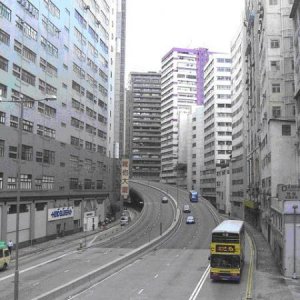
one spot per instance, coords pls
(270, 129)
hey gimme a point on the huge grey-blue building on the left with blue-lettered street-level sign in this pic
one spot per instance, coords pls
(66, 49)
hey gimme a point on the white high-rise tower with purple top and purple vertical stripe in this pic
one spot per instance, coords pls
(181, 89)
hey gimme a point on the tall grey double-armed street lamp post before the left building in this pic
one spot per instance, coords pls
(19, 162)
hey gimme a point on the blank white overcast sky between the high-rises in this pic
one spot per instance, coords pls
(156, 26)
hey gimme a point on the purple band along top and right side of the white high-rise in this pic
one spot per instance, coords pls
(202, 55)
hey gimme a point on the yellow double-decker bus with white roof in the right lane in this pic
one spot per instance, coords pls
(227, 251)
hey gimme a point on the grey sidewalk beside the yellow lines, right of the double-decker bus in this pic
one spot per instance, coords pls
(269, 284)
